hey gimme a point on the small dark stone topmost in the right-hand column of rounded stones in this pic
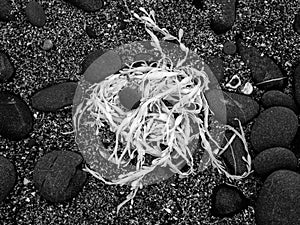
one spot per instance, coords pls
(278, 98)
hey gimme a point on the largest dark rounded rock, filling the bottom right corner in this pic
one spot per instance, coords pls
(278, 202)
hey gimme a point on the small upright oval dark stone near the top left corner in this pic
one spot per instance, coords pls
(35, 14)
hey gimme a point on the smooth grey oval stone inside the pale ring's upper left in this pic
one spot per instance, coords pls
(105, 65)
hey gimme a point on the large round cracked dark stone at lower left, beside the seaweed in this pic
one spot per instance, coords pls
(58, 176)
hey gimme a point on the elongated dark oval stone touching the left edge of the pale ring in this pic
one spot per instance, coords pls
(55, 97)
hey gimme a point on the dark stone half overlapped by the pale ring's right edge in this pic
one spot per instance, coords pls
(237, 106)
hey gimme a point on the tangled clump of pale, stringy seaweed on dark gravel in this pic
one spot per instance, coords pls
(173, 112)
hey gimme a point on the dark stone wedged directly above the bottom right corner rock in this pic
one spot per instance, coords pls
(273, 159)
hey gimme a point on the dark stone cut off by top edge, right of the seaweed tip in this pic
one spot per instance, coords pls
(221, 23)
